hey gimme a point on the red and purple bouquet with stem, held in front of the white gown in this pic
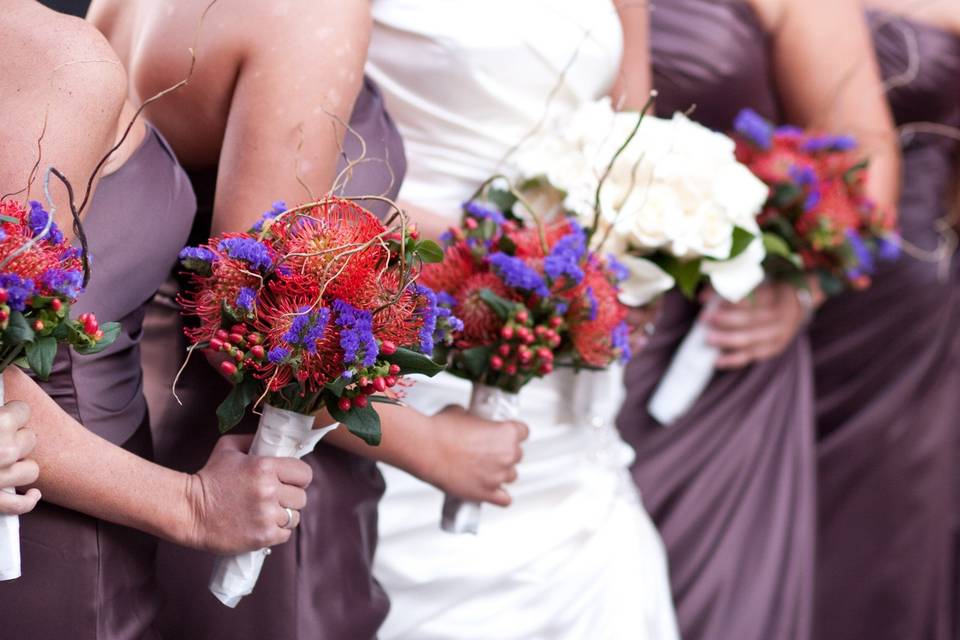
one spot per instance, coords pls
(531, 296)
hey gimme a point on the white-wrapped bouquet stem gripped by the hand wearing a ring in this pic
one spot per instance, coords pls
(280, 434)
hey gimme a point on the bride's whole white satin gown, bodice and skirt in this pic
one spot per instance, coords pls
(575, 556)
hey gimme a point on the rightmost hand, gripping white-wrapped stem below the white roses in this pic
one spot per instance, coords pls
(758, 328)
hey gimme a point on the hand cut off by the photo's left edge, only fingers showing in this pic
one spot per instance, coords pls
(16, 443)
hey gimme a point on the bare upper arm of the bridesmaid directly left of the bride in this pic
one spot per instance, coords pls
(287, 113)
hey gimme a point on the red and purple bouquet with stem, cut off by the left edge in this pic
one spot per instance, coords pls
(41, 275)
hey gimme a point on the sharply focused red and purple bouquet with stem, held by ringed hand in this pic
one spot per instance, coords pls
(316, 307)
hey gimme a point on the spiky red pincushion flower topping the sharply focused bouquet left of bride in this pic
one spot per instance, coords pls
(326, 243)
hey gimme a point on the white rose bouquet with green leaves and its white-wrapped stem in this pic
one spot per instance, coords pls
(669, 200)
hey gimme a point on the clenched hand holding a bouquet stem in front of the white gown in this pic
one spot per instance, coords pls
(474, 457)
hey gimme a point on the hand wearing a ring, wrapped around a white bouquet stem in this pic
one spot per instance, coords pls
(240, 501)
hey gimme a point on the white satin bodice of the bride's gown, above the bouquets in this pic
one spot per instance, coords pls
(467, 80)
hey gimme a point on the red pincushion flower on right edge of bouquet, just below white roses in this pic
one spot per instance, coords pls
(594, 314)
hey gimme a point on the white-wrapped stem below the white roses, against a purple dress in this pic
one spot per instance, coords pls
(686, 378)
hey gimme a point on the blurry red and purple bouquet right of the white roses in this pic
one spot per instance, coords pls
(818, 219)
